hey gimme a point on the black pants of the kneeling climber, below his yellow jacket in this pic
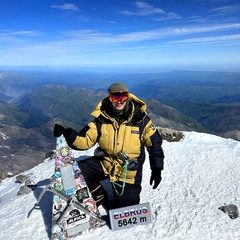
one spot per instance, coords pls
(93, 173)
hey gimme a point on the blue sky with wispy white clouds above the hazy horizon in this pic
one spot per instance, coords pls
(174, 33)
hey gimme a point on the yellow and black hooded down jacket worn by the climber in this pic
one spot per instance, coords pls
(134, 133)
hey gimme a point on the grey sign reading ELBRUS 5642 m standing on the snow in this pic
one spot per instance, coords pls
(127, 217)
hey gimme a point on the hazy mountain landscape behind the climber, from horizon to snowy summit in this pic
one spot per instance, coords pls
(32, 102)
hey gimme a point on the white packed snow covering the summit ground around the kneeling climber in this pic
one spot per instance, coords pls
(201, 174)
